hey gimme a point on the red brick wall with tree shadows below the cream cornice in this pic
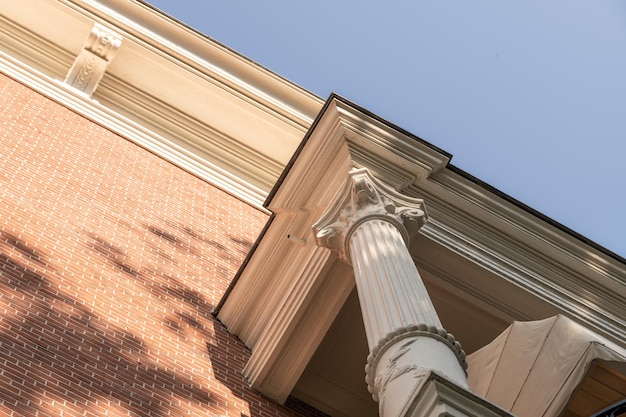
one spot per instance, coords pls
(111, 260)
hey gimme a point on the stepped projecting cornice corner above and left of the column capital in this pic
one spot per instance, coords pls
(275, 294)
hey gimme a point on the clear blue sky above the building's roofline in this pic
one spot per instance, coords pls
(528, 95)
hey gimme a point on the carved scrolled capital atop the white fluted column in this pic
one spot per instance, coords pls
(366, 198)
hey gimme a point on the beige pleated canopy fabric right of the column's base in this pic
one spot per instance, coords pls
(533, 368)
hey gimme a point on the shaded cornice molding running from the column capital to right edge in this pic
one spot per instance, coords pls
(535, 256)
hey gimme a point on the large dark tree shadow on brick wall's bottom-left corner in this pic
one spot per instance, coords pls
(52, 346)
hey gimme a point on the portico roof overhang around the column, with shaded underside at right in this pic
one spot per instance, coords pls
(486, 259)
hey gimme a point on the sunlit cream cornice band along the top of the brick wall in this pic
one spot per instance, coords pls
(171, 90)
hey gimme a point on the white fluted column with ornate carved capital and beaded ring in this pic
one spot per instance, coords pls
(370, 227)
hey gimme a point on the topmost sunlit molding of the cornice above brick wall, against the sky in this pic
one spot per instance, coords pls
(184, 47)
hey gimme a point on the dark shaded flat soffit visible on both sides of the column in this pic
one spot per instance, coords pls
(473, 304)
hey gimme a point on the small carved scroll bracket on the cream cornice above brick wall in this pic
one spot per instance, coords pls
(92, 61)
